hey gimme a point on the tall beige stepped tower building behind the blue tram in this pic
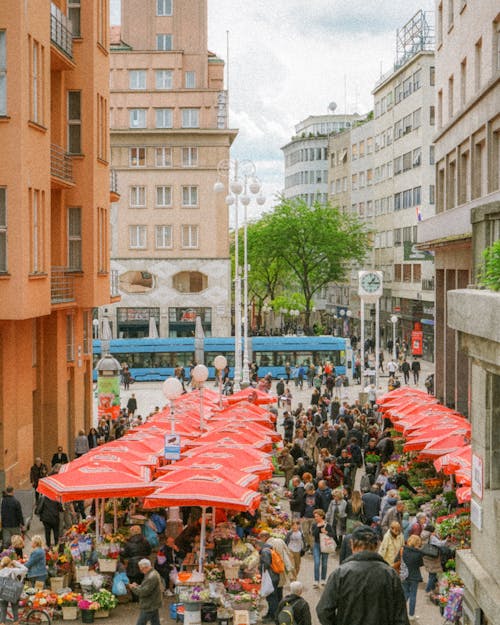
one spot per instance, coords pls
(170, 231)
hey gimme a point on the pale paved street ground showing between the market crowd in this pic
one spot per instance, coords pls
(149, 395)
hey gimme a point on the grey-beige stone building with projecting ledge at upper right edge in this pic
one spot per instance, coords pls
(467, 153)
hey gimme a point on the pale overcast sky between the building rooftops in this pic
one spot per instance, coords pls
(289, 59)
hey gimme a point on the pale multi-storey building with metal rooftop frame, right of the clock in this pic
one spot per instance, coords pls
(404, 193)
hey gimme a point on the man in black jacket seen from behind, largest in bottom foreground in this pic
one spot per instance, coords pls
(364, 589)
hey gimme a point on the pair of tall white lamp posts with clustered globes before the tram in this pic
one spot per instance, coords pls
(242, 180)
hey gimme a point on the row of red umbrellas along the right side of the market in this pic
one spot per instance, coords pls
(435, 431)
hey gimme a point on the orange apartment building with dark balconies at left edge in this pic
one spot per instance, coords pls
(54, 216)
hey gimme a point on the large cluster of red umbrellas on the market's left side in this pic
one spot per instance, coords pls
(238, 439)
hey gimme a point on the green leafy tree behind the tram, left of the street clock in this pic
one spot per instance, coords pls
(312, 245)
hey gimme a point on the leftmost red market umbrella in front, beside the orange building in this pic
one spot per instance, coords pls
(95, 480)
